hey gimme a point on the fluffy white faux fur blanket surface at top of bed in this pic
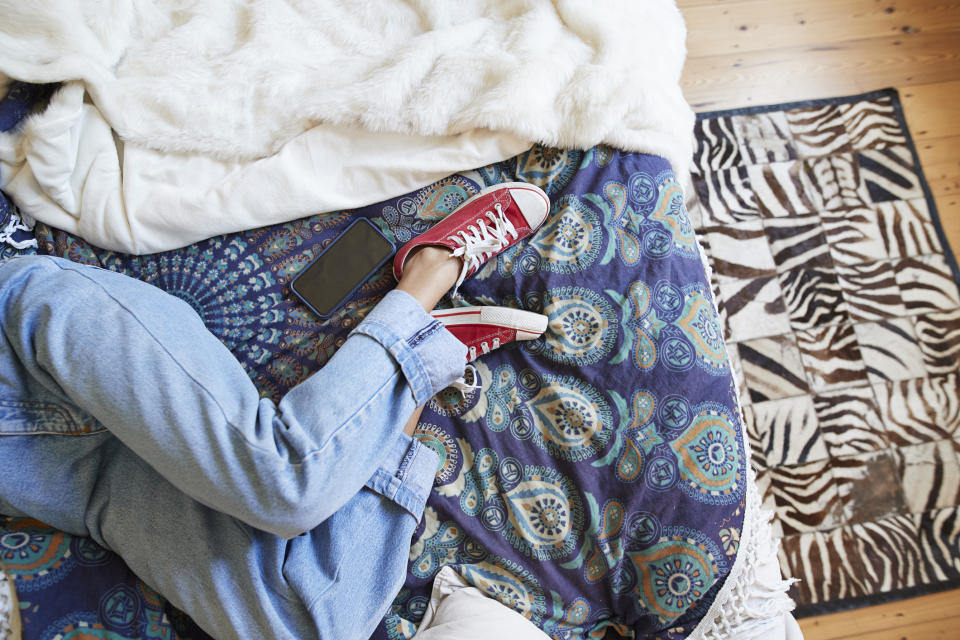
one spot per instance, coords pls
(238, 79)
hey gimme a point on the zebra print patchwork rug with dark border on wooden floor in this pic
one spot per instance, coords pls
(842, 312)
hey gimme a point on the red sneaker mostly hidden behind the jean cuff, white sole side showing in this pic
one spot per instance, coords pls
(484, 329)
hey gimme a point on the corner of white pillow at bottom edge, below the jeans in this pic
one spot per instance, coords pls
(457, 611)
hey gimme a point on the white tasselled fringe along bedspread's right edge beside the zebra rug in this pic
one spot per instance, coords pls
(748, 603)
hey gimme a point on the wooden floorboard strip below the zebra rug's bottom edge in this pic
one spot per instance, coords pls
(910, 613)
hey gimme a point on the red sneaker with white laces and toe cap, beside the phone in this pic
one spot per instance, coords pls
(482, 227)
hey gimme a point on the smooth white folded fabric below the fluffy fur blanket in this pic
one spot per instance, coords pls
(65, 168)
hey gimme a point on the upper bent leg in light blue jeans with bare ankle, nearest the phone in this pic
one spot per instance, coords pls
(142, 364)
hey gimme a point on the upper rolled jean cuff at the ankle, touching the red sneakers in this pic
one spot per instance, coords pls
(429, 355)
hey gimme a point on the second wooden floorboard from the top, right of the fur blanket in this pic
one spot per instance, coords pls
(800, 73)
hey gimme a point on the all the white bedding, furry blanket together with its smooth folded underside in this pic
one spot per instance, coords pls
(237, 82)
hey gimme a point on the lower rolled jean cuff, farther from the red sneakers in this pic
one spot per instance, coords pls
(406, 476)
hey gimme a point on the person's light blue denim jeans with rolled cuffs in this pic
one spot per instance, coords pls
(123, 419)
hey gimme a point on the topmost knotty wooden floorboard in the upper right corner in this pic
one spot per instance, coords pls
(754, 25)
